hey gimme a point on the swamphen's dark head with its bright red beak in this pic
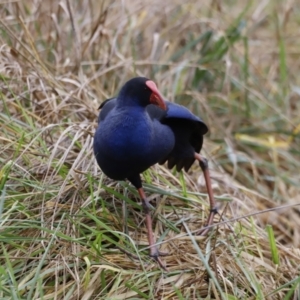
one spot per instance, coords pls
(141, 91)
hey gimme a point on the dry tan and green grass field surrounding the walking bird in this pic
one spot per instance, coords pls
(65, 228)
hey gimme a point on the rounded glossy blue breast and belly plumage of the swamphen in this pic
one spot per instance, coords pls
(127, 142)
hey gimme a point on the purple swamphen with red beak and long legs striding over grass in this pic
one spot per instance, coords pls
(138, 129)
